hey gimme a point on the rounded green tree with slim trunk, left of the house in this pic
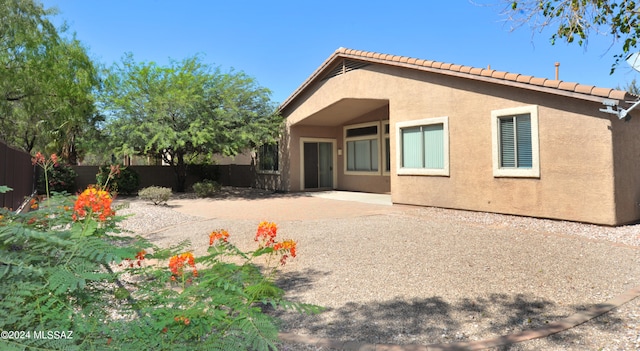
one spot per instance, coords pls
(185, 110)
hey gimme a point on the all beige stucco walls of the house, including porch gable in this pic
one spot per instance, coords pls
(576, 146)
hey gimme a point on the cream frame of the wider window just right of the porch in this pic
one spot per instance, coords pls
(400, 170)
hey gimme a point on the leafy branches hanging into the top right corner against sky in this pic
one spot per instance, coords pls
(577, 20)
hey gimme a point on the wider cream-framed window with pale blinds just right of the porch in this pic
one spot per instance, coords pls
(423, 146)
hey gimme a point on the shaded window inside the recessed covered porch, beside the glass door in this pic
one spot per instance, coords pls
(362, 148)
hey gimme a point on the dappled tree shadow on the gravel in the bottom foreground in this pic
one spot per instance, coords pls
(435, 321)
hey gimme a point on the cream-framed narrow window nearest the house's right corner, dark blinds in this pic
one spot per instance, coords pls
(515, 142)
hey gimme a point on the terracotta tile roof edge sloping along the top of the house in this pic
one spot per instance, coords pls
(576, 90)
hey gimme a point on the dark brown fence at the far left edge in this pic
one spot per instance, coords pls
(16, 172)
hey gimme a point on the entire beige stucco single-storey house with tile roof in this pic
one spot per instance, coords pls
(452, 136)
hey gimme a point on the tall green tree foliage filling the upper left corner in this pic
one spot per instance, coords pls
(46, 82)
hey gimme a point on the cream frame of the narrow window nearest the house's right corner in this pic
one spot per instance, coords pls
(515, 172)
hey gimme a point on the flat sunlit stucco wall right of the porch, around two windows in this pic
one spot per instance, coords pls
(576, 173)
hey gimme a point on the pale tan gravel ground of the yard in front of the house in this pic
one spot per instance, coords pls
(415, 275)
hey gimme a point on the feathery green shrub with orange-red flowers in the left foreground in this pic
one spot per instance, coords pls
(67, 269)
